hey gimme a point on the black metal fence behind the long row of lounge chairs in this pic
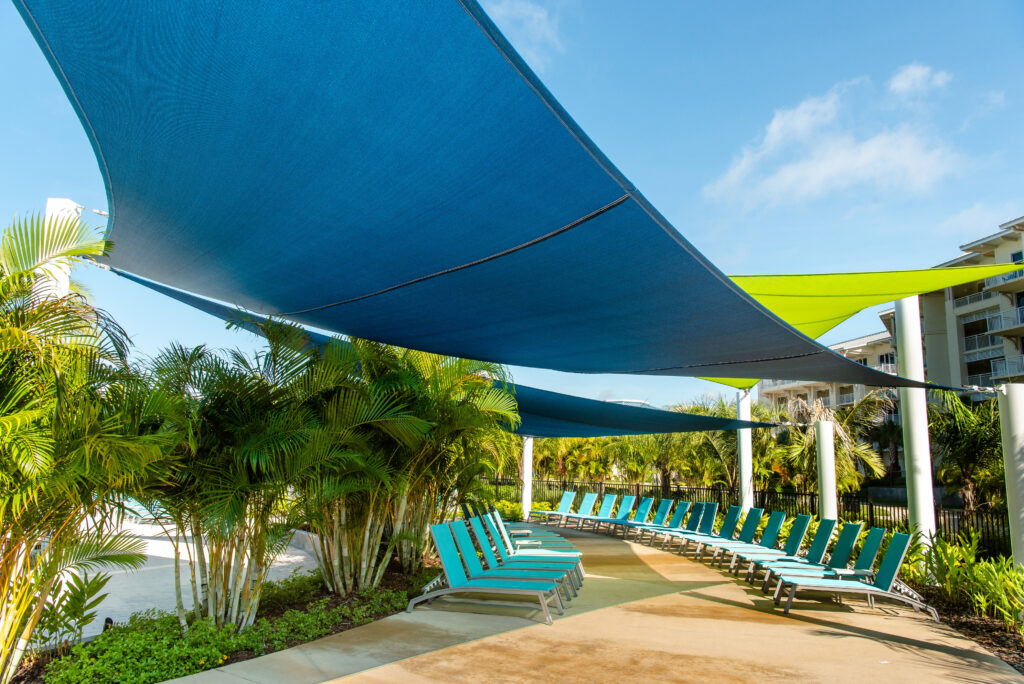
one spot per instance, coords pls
(993, 528)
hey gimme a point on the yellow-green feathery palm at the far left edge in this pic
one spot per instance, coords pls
(71, 443)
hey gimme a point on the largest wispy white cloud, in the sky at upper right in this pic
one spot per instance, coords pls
(805, 153)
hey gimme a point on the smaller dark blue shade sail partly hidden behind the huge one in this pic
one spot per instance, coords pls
(543, 414)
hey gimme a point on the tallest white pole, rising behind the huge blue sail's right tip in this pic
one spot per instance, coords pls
(914, 411)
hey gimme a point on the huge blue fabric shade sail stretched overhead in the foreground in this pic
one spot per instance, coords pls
(394, 172)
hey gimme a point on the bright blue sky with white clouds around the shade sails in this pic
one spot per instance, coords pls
(778, 139)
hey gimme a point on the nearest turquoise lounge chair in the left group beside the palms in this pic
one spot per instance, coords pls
(458, 583)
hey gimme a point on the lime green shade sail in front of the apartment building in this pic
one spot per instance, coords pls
(815, 304)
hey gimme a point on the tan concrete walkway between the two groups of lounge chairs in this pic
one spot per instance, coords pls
(643, 615)
